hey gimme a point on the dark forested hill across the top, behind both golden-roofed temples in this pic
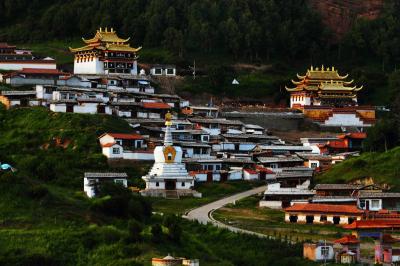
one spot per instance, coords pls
(253, 30)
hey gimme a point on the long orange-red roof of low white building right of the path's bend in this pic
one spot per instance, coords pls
(326, 208)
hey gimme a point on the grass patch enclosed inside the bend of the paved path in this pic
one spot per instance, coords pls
(245, 214)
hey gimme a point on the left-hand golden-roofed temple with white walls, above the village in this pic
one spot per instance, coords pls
(105, 53)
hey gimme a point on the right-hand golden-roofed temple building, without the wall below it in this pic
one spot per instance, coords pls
(323, 87)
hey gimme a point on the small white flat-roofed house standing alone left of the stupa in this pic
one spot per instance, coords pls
(91, 181)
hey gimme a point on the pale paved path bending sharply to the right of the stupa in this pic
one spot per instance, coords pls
(203, 214)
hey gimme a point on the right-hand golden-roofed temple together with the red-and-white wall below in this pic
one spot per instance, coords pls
(329, 99)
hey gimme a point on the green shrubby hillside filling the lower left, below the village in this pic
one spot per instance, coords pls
(46, 219)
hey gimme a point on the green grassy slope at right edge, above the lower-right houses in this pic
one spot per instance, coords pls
(384, 168)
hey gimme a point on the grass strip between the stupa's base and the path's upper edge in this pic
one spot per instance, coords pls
(210, 192)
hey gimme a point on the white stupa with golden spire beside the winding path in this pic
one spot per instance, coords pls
(168, 177)
